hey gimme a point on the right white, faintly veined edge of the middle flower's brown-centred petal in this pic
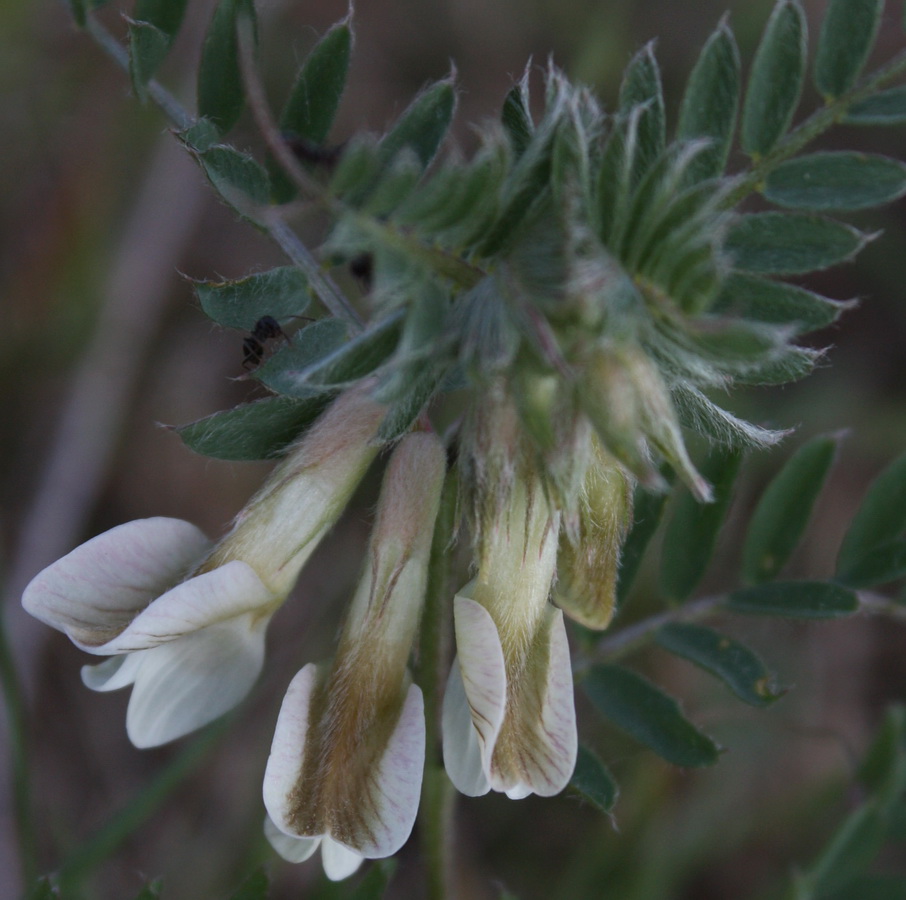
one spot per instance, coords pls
(395, 788)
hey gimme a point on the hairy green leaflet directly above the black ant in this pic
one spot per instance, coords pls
(281, 293)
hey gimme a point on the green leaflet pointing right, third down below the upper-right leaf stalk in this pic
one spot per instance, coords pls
(776, 303)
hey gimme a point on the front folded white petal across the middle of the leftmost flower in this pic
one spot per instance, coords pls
(227, 592)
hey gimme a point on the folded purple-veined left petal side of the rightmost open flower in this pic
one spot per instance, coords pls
(483, 672)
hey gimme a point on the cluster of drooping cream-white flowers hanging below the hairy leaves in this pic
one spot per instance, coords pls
(183, 622)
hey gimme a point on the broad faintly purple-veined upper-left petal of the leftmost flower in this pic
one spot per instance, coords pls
(93, 592)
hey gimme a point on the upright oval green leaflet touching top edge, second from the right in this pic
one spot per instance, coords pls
(776, 79)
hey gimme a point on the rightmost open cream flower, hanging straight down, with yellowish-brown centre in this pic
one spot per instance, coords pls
(508, 715)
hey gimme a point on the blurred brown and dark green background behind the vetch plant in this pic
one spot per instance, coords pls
(102, 216)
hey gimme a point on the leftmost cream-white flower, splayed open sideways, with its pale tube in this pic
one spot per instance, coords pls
(182, 619)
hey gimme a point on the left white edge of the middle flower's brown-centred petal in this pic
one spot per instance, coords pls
(288, 747)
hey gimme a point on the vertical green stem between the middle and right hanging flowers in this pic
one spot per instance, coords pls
(436, 809)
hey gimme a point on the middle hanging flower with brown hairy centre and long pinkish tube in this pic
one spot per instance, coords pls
(345, 767)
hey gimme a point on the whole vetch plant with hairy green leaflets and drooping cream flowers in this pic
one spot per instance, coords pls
(541, 341)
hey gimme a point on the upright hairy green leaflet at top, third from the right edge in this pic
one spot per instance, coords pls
(711, 102)
